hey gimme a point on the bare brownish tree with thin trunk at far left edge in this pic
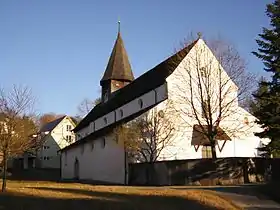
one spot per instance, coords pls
(16, 125)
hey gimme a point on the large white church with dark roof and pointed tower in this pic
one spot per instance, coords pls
(97, 155)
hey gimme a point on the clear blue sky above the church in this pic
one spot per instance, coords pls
(60, 48)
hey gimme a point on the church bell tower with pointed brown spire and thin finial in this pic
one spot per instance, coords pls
(118, 72)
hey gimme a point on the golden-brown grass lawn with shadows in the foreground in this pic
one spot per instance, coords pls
(52, 196)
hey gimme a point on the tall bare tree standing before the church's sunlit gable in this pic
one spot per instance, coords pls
(211, 85)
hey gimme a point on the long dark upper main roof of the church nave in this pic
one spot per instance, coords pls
(143, 84)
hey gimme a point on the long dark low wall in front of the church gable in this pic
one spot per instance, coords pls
(204, 171)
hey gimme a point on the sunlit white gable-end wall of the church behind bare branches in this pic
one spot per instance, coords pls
(244, 146)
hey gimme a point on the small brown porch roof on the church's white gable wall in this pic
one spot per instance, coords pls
(198, 137)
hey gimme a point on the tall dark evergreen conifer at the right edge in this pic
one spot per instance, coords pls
(269, 101)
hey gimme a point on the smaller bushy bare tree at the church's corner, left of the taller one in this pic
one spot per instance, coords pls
(148, 135)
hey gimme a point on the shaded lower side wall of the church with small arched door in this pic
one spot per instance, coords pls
(103, 164)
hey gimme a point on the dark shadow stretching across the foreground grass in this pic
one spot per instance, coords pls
(96, 200)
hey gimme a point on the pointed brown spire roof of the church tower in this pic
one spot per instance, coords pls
(118, 67)
